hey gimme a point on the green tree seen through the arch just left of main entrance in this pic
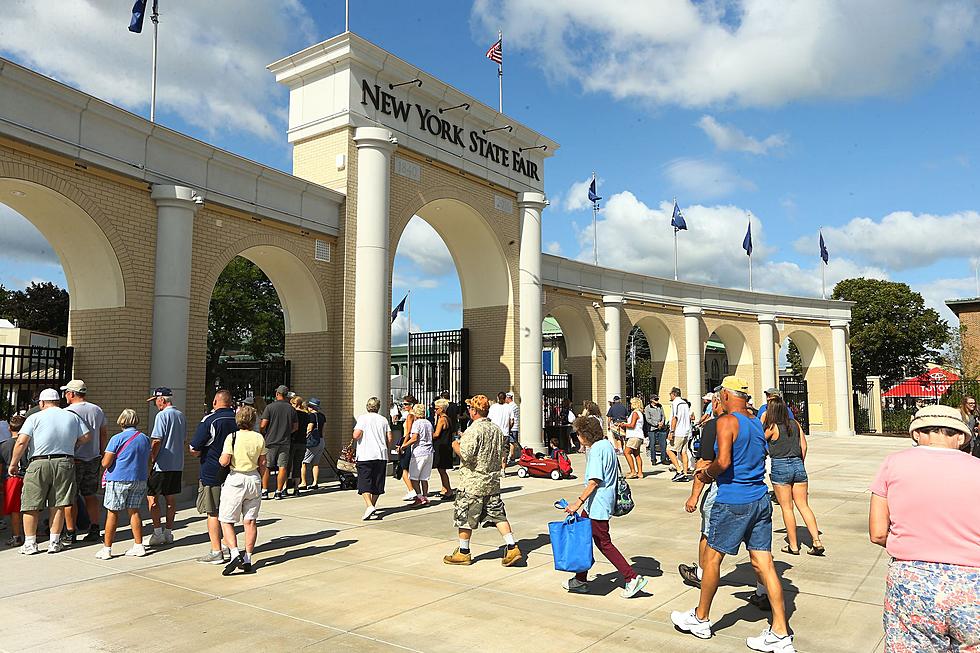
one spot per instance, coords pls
(245, 315)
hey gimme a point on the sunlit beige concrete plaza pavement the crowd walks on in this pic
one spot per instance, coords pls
(327, 581)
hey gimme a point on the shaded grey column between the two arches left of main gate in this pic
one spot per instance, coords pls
(172, 289)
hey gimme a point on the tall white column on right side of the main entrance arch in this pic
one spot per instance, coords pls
(531, 427)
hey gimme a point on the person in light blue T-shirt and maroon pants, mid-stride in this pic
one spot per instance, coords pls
(596, 502)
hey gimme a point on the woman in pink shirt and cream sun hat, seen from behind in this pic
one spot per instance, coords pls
(926, 513)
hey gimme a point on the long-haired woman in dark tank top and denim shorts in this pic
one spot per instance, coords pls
(787, 449)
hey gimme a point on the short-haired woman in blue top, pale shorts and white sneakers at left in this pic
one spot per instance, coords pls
(127, 466)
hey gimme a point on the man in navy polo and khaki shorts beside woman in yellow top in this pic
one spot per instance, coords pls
(208, 440)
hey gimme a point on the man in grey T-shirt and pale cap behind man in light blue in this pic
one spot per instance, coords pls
(88, 461)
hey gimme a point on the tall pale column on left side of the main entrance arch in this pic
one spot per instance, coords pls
(372, 316)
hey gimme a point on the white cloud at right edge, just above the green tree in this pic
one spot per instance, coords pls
(903, 240)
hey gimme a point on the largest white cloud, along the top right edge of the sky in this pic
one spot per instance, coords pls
(742, 52)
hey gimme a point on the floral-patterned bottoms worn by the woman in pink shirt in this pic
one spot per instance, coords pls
(931, 607)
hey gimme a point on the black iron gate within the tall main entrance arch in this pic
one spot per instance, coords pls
(439, 361)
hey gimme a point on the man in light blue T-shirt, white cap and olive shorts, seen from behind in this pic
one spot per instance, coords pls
(52, 436)
